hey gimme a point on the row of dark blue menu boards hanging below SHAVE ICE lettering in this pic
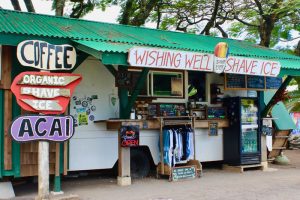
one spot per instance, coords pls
(243, 82)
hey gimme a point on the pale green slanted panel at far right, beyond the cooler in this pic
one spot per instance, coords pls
(283, 120)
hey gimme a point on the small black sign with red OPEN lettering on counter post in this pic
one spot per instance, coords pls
(130, 136)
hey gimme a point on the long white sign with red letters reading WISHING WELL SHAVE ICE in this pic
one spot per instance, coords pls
(182, 60)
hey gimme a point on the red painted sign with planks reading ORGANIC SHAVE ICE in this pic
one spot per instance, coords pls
(44, 92)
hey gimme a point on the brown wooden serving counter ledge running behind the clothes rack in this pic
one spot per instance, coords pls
(154, 124)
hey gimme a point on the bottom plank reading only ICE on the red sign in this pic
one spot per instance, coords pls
(50, 105)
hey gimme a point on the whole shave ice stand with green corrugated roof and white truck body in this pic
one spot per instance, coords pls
(158, 84)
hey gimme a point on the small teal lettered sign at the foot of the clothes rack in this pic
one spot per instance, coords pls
(181, 173)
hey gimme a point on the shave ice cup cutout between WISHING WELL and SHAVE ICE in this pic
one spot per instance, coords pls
(221, 54)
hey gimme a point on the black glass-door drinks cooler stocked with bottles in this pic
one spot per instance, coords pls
(242, 137)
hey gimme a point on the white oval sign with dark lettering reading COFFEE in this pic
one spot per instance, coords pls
(45, 56)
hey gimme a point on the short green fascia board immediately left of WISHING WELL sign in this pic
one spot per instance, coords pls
(115, 59)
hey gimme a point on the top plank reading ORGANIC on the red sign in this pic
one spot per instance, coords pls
(51, 80)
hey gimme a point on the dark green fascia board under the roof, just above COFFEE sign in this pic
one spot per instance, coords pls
(15, 39)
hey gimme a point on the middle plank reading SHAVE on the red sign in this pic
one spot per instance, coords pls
(45, 92)
